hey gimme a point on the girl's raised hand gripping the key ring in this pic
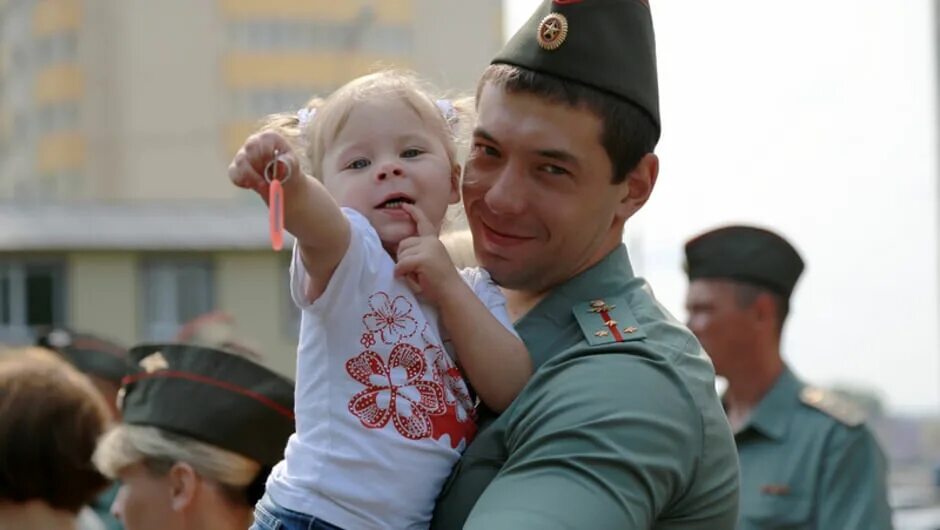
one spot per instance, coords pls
(247, 168)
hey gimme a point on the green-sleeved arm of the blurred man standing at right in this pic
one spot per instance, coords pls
(853, 490)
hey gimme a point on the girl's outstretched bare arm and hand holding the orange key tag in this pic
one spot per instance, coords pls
(310, 213)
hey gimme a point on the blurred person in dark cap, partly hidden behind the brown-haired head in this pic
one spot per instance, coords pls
(105, 364)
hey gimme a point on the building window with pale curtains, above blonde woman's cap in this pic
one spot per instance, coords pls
(175, 292)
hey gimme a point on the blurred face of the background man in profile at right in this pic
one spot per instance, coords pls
(719, 322)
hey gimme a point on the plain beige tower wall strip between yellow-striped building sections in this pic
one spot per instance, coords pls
(170, 100)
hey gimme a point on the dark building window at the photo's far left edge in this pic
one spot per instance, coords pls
(32, 296)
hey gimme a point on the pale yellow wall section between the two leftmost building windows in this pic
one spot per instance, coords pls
(102, 294)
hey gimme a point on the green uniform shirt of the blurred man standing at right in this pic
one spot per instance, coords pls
(807, 462)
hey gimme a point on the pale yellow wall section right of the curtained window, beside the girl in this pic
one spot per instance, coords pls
(253, 288)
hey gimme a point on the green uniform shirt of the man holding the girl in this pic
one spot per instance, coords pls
(619, 428)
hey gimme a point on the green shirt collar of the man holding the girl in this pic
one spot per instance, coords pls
(551, 317)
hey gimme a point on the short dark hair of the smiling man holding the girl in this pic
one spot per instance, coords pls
(628, 132)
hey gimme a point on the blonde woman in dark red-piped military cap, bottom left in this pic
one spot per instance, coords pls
(201, 429)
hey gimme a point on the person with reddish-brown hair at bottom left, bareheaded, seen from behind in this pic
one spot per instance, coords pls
(51, 417)
